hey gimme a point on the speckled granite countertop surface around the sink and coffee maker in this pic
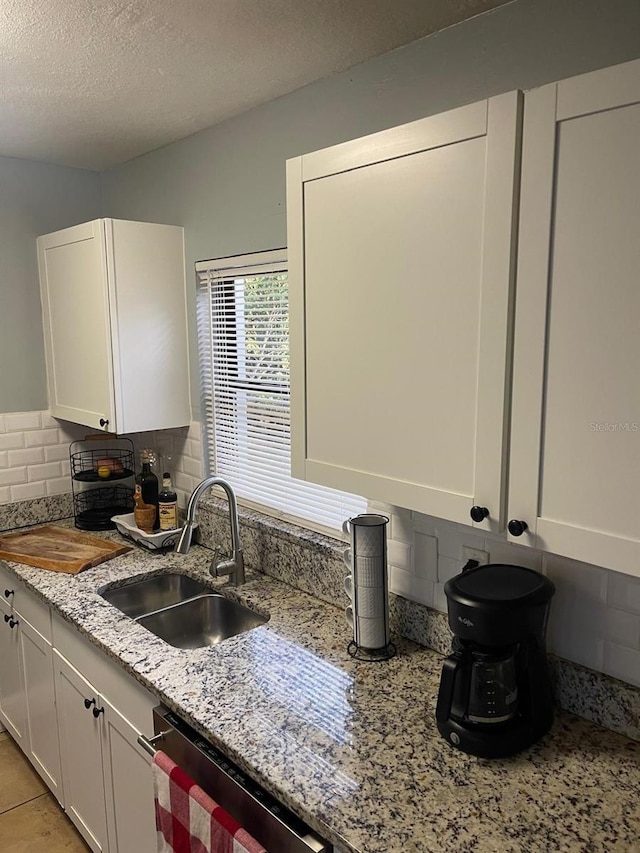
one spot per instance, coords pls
(352, 747)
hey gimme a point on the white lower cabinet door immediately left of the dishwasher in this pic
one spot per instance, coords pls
(128, 786)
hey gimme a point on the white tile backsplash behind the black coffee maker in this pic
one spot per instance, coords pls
(595, 613)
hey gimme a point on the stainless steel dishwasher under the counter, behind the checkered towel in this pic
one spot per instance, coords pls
(270, 823)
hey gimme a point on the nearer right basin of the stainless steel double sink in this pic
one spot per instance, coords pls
(202, 621)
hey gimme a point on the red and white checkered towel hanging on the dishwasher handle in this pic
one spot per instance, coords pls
(189, 821)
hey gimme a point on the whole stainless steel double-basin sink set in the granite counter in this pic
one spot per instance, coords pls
(181, 610)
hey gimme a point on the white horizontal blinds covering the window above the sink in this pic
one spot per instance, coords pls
(243, 339)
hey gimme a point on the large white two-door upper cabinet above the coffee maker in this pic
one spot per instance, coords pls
(400, 247)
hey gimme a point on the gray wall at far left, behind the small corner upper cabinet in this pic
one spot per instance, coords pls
(35, 199)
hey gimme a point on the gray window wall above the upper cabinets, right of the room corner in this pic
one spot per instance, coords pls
(226, 185)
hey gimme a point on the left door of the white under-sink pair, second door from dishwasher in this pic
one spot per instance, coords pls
(81, 752)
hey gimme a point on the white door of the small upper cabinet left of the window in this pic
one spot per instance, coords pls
(77, 324)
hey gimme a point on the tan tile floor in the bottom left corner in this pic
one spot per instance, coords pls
(31, 821)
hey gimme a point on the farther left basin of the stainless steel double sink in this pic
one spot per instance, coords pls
(154, 593)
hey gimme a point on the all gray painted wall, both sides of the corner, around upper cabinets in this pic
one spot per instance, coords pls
(226, 185)
